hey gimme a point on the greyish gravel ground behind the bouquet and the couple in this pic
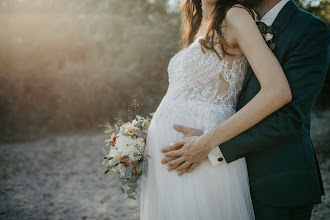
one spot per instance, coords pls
(60, 177)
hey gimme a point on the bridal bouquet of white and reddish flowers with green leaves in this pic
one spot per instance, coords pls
(126, 147)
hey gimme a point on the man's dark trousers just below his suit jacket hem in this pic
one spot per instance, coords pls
(267, 212)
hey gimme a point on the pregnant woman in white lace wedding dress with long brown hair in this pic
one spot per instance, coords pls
(219, 38)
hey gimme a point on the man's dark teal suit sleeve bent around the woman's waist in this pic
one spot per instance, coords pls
(305, 68)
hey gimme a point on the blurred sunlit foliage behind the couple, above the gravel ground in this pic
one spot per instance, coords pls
(68, 65)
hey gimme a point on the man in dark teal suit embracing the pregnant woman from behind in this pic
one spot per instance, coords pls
(283, 170)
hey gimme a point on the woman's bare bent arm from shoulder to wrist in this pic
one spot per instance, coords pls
(275, 90)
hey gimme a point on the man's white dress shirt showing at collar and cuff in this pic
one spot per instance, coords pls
(215, 156)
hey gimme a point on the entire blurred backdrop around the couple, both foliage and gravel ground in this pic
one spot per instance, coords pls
(68, 66)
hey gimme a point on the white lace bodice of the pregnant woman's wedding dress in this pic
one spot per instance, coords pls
(200, 83)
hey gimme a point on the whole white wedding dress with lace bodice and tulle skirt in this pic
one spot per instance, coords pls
(202, 93)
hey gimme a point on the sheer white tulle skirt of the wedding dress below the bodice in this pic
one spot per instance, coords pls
(210, 192)
